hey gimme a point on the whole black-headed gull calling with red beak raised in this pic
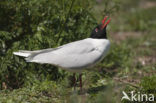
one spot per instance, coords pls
(74, 56)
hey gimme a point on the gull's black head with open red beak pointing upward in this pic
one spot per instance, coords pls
(99, 32)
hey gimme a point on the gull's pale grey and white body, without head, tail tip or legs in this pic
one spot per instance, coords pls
(76, 55)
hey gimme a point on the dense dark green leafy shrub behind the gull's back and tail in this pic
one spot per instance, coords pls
(32, 25)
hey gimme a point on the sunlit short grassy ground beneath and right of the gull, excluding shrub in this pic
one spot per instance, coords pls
(130, 65)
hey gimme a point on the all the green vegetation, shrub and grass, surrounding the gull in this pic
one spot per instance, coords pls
(38, 24)
